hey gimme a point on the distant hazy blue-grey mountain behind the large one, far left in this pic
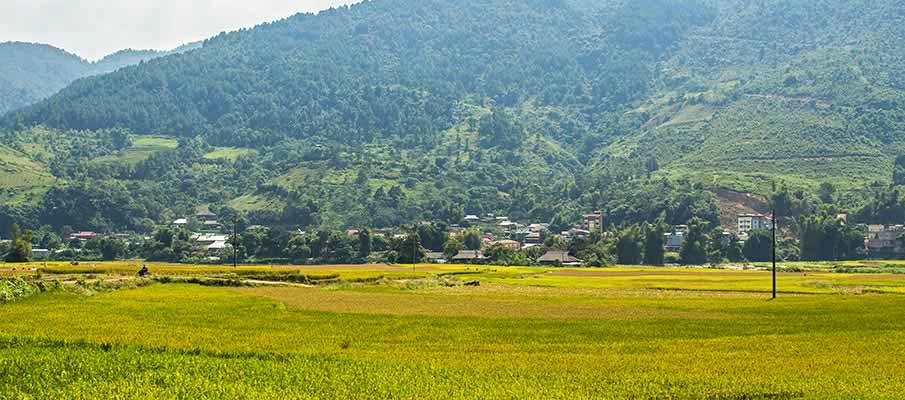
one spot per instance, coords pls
(30, 72)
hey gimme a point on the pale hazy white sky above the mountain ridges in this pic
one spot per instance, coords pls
(95, 28)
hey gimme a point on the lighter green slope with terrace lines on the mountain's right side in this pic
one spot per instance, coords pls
(802, 92)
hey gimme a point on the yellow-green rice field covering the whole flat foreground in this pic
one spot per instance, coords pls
(384, 331)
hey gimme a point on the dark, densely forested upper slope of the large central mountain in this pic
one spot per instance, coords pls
(390, 67)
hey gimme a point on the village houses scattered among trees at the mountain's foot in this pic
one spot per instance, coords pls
(212, 240)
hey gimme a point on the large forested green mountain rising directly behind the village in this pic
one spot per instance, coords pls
(397, 110)
